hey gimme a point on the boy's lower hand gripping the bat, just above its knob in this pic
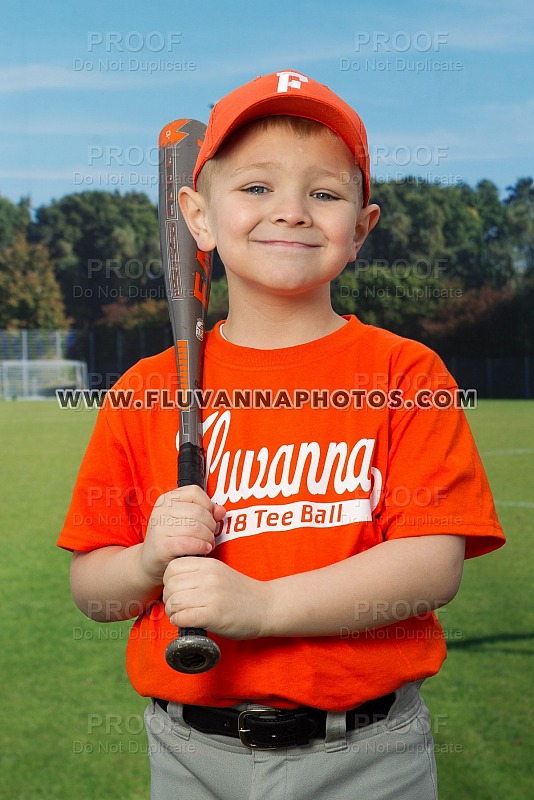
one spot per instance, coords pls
(206, 593)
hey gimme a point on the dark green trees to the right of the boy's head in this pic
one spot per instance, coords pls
(451, 266)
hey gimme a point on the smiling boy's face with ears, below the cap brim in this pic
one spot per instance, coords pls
(284, 211)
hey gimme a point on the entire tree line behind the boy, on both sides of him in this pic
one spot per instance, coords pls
(452, 266)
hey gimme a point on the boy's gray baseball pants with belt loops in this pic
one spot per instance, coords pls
(390, 760)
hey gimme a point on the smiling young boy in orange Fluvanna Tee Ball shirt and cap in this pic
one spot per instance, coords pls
(343, 490)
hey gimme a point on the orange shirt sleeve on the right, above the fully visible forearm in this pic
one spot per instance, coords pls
(435, 481)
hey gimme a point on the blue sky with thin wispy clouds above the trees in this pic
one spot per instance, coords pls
(445, 87)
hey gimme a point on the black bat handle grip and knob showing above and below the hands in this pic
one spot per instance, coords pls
(192, 651)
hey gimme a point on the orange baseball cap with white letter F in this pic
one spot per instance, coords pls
(286, 93)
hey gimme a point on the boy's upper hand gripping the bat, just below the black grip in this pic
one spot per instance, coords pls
(182, 523)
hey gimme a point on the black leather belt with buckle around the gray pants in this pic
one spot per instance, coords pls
(267, 728)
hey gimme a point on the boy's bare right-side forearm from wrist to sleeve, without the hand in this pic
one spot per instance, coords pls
(397, 579)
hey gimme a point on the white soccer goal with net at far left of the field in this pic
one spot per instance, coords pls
(38, 379)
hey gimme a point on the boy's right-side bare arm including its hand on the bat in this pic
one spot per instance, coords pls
(394, 580)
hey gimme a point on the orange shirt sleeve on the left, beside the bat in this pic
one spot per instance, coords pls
(103, 509)
